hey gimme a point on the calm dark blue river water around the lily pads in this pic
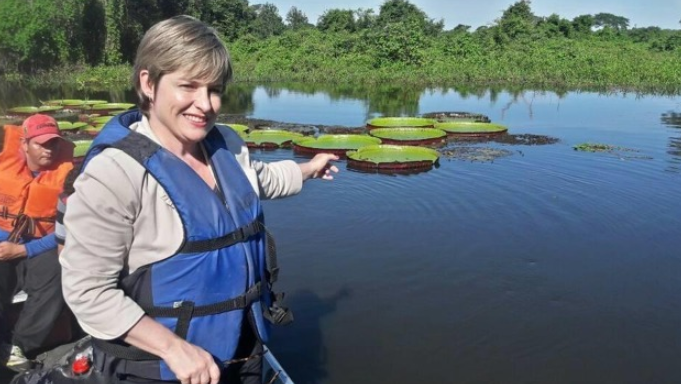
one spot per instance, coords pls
(545, 266)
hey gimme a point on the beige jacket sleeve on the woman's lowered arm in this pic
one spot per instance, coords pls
(99, 231)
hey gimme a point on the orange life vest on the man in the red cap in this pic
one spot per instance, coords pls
(28, 205)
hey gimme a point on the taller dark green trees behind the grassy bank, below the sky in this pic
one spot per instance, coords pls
(38, 35)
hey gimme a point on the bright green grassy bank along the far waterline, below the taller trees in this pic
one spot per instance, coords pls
(306, 56)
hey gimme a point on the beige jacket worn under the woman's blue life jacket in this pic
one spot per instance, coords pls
(120, 218)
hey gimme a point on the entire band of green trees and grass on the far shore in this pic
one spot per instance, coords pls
(399, 42)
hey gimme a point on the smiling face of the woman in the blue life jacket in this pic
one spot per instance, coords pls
(182, 108)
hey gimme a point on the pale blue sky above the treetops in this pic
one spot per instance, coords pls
(641, 13)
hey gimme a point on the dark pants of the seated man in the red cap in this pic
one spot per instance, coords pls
(40, 278)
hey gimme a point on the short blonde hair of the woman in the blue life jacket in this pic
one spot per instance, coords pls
(181, 43)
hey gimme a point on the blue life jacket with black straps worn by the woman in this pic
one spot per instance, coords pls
(222, 273)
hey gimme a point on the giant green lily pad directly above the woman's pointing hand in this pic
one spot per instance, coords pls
(336, 144)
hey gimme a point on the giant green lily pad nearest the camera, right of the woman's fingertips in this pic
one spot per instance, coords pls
(392, 157)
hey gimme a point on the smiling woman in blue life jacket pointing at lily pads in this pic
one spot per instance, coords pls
(165, 256)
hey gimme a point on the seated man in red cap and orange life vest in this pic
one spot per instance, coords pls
(34, 163)
